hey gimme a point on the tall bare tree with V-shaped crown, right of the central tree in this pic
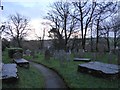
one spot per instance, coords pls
(84, 12)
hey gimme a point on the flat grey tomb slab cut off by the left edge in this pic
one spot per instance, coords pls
(9, 71)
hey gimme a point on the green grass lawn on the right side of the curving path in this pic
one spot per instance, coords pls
(75, 79)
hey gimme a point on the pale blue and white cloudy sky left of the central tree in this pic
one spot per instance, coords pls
(35, 10)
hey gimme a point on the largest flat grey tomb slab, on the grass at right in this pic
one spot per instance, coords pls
(100, 69)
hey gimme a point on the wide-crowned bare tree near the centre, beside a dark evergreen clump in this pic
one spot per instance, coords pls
(64, 24)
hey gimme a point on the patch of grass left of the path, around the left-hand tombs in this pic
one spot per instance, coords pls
(28, 78)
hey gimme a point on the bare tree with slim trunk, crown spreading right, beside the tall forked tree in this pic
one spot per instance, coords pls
(103, 12)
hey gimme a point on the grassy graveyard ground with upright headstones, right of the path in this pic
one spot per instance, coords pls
(68, 69)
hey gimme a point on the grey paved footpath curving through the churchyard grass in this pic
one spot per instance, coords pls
(52, 79)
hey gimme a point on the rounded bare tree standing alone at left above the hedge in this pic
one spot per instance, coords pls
(17, 28)
